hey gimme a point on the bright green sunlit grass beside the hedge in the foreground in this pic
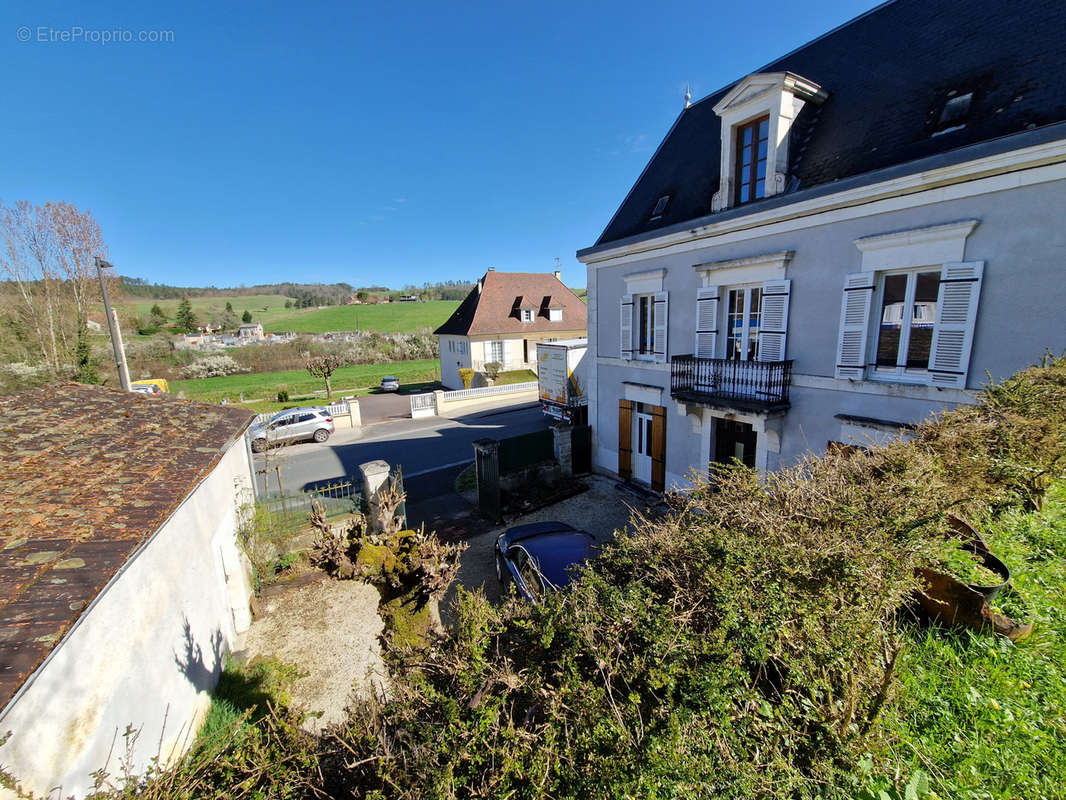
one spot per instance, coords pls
(980, 717)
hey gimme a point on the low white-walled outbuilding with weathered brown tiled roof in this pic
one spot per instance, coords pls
(122, 585)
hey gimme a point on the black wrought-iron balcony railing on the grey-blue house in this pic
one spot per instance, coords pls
(747, 386)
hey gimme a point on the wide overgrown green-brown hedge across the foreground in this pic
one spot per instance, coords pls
(744, 647)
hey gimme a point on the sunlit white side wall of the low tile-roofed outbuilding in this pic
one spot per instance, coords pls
(147, 653)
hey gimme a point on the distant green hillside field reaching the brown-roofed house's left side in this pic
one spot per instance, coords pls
(383, 318)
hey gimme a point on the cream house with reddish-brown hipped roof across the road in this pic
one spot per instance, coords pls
(504, 318)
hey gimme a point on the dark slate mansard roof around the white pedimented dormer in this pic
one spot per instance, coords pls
(889, 75)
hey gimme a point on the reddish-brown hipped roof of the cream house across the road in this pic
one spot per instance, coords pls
(492, 307)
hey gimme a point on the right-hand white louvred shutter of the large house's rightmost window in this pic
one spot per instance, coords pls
(957, 313)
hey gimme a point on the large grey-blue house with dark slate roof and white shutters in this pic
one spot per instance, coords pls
(837, 246)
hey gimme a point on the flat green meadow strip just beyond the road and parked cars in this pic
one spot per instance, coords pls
(264, 387)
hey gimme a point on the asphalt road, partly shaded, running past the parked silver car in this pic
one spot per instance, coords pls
(431, 452)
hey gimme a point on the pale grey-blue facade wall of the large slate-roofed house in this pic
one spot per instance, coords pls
(1020, 318)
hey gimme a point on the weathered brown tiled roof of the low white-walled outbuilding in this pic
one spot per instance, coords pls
(87, 476)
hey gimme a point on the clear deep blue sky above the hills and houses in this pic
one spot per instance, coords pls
(372, 143)
